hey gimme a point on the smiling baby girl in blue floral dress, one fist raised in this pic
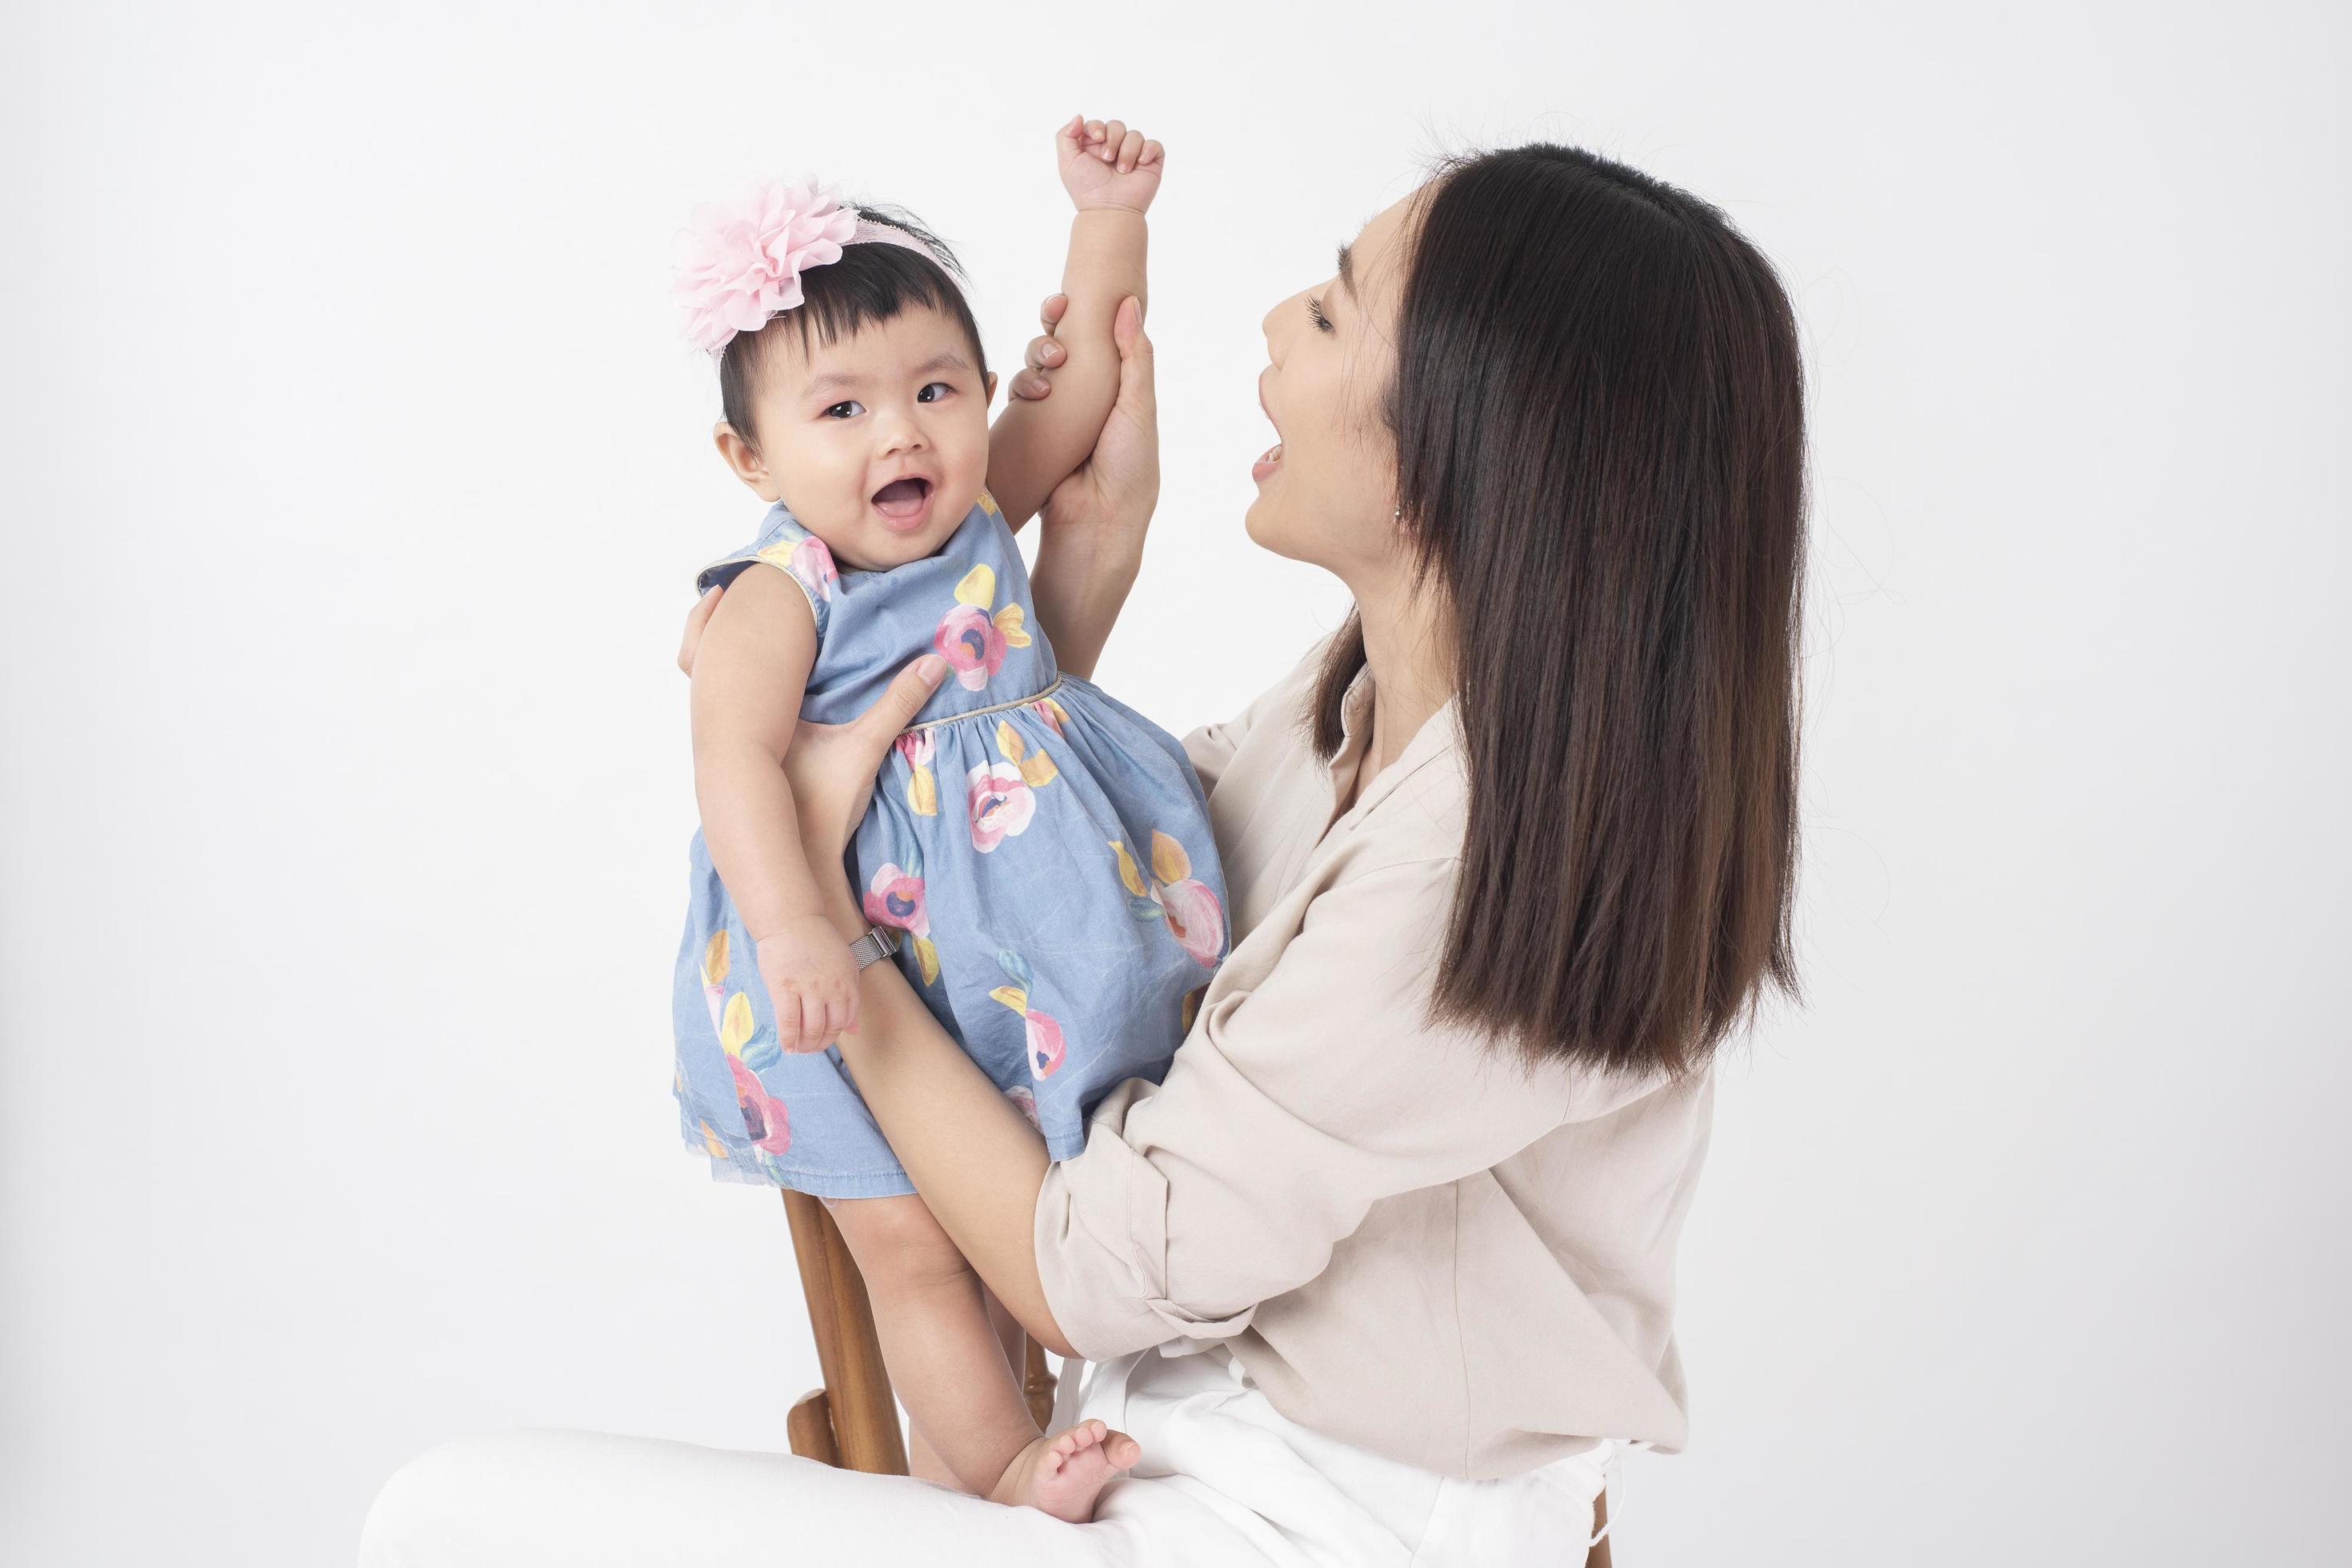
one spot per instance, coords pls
(1036, 857)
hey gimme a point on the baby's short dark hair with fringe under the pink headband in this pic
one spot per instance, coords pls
(871, 283)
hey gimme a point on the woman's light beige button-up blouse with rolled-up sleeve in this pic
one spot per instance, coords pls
(1410, 1242)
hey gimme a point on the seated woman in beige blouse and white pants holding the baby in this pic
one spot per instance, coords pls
(1382, 1273)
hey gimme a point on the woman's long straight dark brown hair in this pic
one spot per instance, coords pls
(1601, 448)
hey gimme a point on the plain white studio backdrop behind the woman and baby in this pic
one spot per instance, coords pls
(354, 481)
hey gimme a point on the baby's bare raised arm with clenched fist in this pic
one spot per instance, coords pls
(1111, 175)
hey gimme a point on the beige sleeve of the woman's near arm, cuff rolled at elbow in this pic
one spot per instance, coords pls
(1288, 1113)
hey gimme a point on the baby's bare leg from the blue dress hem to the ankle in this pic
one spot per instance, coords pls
(944, 1355)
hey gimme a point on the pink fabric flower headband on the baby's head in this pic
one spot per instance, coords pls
(742, 264)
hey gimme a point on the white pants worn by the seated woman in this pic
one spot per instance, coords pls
(1224, 1482)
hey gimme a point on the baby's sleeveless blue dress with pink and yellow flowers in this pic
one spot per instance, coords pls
(1041, 847)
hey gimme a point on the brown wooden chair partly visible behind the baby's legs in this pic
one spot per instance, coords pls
(855, 1419)
